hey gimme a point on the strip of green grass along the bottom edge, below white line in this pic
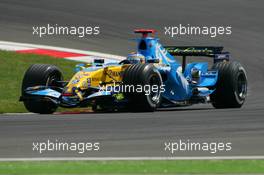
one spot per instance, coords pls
(135, 167)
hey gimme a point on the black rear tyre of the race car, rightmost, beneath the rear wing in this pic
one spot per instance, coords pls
(231, 87)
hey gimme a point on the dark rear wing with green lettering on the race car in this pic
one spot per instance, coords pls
(208, 51)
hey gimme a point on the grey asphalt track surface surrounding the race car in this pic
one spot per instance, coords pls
(141, 134)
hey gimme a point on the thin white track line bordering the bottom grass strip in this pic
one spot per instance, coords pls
(133, 158)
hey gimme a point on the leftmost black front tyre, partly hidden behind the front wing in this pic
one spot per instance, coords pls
(44, 75)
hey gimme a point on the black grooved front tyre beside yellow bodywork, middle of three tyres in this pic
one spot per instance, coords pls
(147, 77)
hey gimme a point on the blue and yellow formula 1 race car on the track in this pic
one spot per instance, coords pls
(148, 79)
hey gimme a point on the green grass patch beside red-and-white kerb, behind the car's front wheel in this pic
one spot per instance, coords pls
(12, 69)
